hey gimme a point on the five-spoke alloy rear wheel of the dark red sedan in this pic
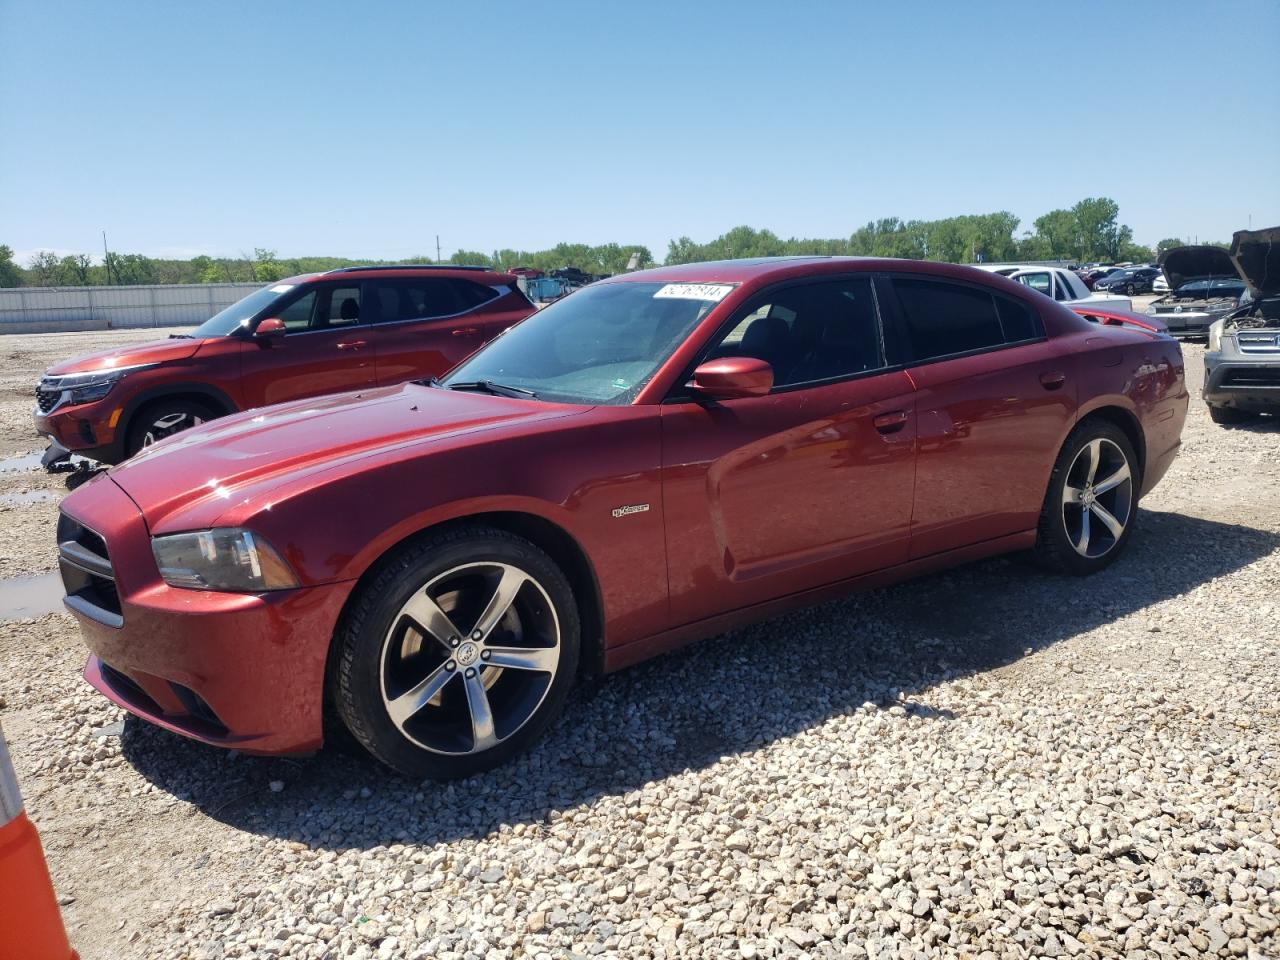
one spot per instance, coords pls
(1098, 499)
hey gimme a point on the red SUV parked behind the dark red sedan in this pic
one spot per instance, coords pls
(346, 330)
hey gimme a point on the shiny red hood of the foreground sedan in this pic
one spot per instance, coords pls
(249, 458)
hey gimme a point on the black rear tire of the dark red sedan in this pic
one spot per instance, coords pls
(1063, 525)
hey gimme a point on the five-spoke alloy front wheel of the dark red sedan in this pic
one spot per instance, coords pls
(470, 657)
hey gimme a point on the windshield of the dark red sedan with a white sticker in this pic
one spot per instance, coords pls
(601, 345)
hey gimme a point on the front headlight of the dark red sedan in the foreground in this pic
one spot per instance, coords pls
(228, 559)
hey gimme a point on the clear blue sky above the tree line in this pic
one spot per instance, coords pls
(364, 130)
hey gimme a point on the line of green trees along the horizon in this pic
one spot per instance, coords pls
(1090, 231)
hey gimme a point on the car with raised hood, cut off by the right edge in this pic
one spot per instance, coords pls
(1242, 367)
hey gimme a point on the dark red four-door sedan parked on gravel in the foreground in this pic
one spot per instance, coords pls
(656, 459)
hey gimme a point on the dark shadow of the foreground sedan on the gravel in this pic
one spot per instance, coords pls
(728, 696)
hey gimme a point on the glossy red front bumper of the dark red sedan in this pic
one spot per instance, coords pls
(232, 670)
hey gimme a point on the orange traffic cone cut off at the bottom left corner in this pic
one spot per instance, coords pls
(31, 927)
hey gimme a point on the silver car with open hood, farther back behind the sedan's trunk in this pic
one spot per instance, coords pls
(1205, 287)
